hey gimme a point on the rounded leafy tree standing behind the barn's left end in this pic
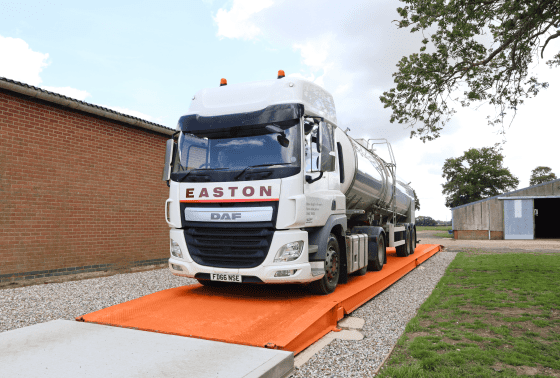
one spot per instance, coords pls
(476, 175)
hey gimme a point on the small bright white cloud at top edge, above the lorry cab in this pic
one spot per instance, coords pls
(237, 23)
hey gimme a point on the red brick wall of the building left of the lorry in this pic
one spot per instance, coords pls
(78, 193)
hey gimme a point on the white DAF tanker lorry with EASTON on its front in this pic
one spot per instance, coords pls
(265, 188)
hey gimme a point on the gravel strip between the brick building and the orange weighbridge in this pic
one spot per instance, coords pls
(21, 307)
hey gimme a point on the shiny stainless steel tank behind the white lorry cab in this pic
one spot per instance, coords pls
(368, 183)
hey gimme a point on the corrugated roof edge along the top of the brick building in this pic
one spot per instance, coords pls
(29, 90)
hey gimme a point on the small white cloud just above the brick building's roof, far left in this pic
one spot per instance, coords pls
(18, 62)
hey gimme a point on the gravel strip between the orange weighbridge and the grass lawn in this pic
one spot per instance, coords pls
(385, 317)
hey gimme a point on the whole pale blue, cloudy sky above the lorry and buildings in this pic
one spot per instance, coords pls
(148, 59)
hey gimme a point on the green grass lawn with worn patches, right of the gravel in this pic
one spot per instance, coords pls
(491, 315)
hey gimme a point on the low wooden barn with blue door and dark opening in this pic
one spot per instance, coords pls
(529, 213)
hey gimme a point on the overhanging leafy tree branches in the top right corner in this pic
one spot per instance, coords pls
(496, 72)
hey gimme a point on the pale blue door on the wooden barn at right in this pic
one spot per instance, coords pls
(518, 219)
